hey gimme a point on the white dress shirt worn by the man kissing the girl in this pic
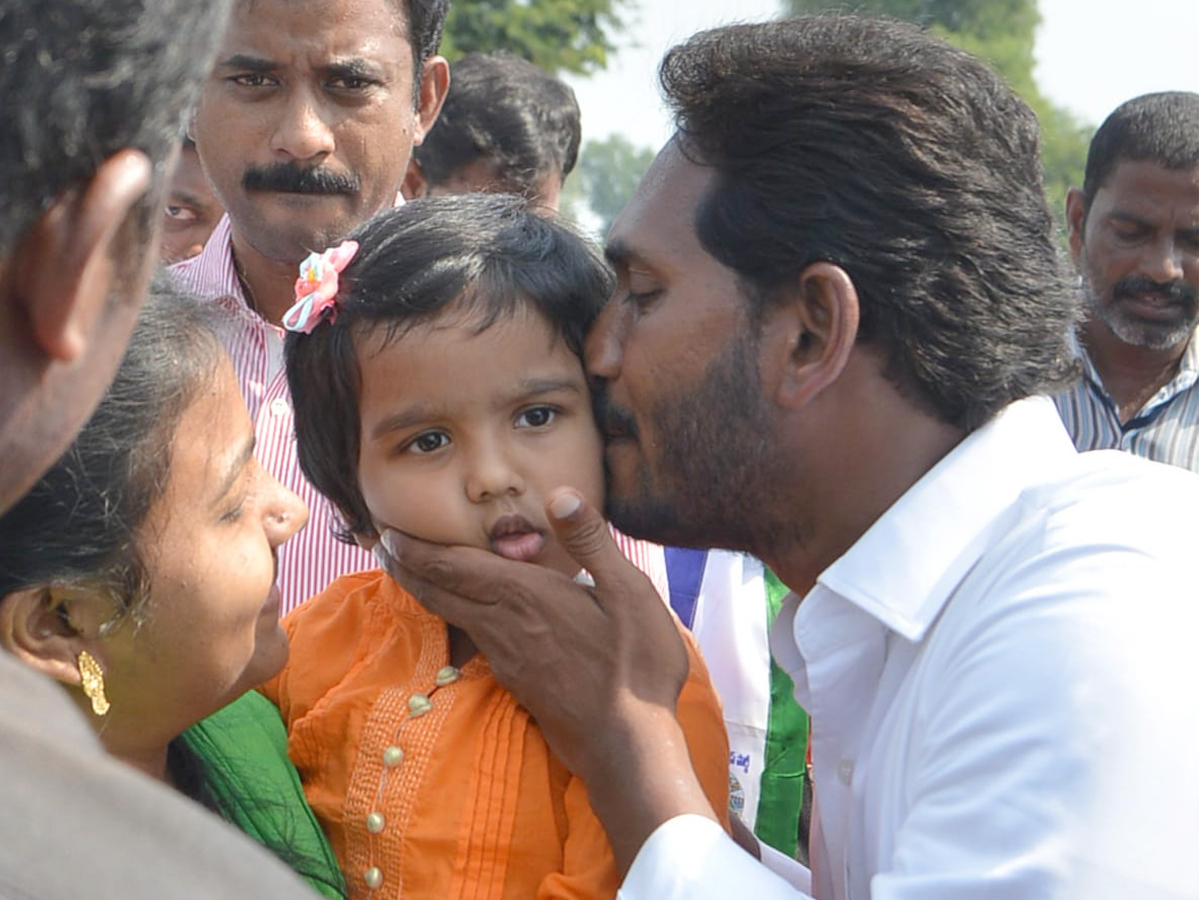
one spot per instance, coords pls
(1003, 685)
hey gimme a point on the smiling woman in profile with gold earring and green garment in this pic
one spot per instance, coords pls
(140, 573)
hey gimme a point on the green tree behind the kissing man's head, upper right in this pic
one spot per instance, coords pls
(1001, 32)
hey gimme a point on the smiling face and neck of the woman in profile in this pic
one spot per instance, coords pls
(209, 628)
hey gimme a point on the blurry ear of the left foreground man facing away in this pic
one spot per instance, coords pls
(67, 265)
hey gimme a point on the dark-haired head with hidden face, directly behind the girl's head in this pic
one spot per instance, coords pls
(507, 127)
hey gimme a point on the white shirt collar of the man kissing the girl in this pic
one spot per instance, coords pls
(904, 569)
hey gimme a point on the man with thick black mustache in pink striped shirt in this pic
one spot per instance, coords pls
(304, 130)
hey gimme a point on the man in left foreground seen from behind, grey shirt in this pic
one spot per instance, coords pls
(97, 94)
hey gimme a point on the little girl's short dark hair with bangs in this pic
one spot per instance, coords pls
(482, 255)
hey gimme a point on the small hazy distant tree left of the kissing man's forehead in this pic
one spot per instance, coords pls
(604, 181)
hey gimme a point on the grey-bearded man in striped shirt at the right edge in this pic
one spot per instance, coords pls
(1133, 237)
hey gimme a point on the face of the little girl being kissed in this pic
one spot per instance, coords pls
(464, 434)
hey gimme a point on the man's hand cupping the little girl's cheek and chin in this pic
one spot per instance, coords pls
(598, 668)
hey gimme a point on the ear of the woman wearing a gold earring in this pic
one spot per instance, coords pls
(39, 627)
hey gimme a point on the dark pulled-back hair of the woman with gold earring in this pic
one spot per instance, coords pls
(79, 525)
